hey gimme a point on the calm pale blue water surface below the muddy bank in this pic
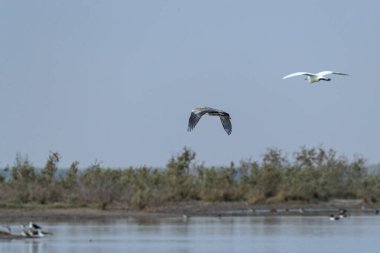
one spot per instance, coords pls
(207, 234)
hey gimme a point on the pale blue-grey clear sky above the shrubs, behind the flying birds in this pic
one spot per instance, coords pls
(115, 81)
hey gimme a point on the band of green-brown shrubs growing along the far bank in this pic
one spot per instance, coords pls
(311, 175)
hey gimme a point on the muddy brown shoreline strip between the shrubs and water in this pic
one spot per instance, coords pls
(48, 213)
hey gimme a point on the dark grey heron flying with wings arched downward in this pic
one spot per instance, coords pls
(198, 112)
